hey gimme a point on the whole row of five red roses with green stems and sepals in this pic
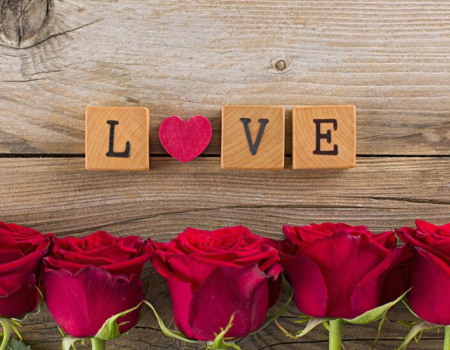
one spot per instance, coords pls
(223, 282)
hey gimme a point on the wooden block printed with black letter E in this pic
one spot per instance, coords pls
(324, 137)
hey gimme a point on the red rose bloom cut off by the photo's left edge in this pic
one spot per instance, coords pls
(21, 251)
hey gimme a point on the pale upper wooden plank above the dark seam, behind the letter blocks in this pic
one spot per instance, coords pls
(389, 58)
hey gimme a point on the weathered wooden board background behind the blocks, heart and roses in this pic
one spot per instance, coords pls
(390, 58)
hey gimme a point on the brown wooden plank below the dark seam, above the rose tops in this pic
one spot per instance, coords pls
(58, 195)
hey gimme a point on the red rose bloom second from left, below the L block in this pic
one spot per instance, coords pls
(88, 280)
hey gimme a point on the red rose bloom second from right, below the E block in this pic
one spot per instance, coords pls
(342, 271)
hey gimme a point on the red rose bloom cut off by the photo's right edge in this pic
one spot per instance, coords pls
(429, 270)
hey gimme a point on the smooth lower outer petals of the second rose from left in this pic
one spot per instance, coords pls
(81, 303)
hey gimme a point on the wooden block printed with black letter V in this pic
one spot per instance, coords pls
(253, 137)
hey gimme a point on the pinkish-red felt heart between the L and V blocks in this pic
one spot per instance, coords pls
(185, 140)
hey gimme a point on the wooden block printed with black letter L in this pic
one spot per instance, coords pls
(117, 138)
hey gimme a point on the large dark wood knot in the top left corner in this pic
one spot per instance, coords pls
(21, 21)
